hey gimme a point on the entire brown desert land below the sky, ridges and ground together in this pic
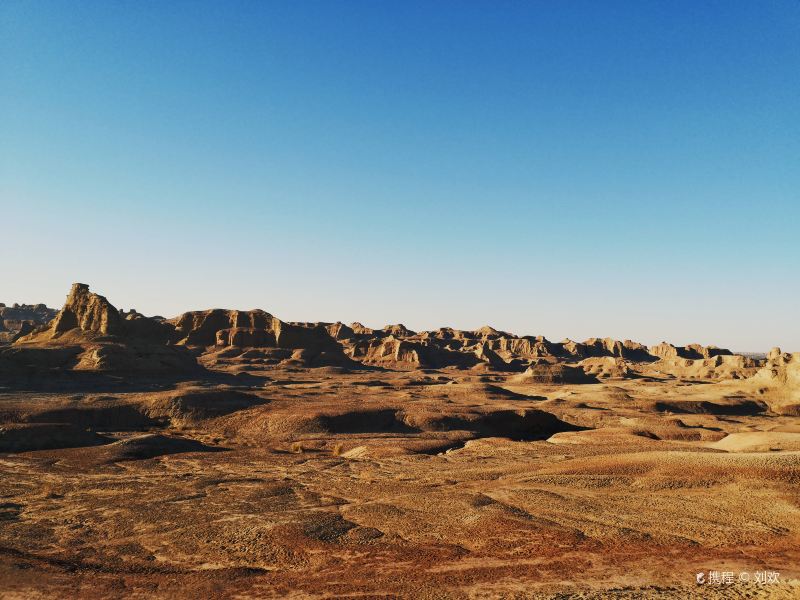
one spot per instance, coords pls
(229, 454)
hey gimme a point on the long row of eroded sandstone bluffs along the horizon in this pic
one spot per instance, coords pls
(91, 334)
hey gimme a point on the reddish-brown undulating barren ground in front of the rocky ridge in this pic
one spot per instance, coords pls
(393, 484)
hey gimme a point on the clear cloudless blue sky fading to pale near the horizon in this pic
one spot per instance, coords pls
(567, 169)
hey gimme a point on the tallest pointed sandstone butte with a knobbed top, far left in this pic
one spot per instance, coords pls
(88, 312)
